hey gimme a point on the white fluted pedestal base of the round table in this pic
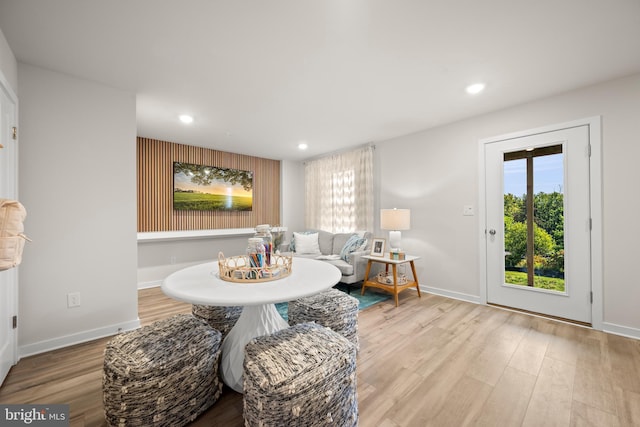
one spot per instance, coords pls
(255, 320)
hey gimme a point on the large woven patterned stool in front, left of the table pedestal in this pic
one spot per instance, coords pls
(164, 374)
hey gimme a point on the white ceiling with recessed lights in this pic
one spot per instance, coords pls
(259, 77)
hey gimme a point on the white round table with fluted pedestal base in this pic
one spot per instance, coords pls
(201, 284)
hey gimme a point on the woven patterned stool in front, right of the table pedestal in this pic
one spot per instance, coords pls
(304, 375)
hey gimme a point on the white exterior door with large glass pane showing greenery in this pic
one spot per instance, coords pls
(541, 262)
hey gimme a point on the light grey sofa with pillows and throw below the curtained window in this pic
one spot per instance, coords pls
(330, 248)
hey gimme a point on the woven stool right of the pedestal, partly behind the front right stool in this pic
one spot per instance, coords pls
(333, 309)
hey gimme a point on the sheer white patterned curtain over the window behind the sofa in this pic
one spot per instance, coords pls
(339, 192)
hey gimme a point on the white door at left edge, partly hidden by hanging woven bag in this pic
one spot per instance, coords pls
(8, 190)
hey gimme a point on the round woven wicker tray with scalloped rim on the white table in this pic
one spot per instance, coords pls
(237, 269)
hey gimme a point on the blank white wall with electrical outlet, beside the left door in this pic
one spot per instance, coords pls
(77, 181)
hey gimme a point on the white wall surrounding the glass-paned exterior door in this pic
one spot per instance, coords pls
(435, 173)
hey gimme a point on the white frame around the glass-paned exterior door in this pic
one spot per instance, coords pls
(595, 192)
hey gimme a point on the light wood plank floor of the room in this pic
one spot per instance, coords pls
(431, 361)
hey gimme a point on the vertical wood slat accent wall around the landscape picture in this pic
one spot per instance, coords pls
(155, 188)
